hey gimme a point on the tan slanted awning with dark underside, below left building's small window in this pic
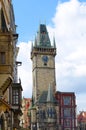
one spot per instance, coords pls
(5, 81)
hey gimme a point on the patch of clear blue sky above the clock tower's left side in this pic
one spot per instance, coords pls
(29, 14)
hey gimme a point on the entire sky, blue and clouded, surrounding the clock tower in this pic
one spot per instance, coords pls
(66, 20)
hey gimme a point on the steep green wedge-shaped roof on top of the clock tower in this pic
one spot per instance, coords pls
(42, 39)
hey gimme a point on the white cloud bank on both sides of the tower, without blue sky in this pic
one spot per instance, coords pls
(70, 32)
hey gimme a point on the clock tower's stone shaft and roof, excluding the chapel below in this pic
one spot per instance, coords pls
(43, 63)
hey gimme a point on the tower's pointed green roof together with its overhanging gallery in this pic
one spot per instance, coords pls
(42, 44)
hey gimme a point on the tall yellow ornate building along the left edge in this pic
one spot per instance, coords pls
(10, 88)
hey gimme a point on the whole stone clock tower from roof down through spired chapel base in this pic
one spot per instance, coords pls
(44, 109)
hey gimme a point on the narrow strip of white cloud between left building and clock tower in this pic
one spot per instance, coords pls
(25, 71)
